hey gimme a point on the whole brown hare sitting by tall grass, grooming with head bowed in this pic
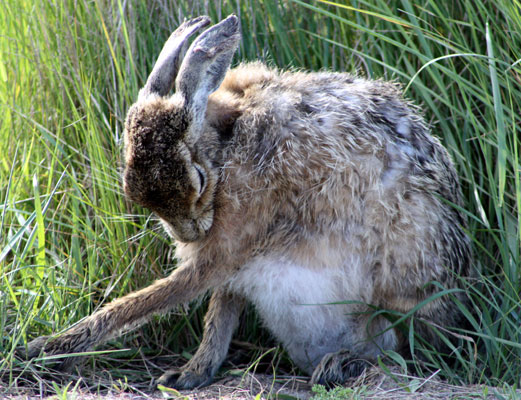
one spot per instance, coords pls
(315, 196)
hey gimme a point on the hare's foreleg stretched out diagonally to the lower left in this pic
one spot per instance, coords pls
(130, 311)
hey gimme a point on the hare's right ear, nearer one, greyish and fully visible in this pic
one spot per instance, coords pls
(204, 67)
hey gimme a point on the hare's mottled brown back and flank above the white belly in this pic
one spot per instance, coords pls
(333, 159)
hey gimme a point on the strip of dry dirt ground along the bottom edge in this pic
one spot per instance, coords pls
(374, 384)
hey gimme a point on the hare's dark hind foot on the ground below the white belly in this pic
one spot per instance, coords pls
(336, 368)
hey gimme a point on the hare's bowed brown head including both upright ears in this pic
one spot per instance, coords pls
(165, 170)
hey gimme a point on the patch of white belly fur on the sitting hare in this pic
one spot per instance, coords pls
(293, 301)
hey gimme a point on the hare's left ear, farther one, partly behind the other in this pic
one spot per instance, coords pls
(161, 79)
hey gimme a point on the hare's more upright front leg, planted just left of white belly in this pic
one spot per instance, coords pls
(220, 323)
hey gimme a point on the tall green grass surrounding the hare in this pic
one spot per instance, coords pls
(70, 242)
